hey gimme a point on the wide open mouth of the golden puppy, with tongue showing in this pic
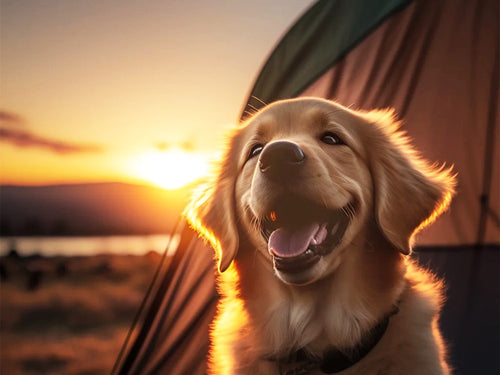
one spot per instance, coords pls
(299, 232)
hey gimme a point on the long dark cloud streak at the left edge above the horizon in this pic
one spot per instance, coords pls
(25, 139)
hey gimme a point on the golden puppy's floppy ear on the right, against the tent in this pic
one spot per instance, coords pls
(408, 192)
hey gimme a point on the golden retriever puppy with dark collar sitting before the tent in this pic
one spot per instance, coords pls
(312, 212)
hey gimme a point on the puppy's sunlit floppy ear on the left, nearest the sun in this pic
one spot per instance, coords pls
(212, 212)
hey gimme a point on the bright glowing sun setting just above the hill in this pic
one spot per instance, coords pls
(171, 169)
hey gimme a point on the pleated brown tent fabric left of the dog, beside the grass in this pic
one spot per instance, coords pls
(173, 337)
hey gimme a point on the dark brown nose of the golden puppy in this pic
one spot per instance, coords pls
(281, 159)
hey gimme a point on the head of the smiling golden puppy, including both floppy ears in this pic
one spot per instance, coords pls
(306, 179)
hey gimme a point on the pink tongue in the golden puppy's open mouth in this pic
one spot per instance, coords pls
(285, 242)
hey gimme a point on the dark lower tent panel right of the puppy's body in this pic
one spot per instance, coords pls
(470, 316)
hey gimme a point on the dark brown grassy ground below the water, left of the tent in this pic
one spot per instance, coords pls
(68, 315)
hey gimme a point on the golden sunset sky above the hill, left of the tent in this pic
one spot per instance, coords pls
(129, 91)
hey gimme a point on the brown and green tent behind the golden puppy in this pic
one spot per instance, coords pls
(437, 63)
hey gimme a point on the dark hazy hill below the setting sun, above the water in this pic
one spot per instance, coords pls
(89, 209)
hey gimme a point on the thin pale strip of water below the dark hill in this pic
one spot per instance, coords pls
(69, 246)
